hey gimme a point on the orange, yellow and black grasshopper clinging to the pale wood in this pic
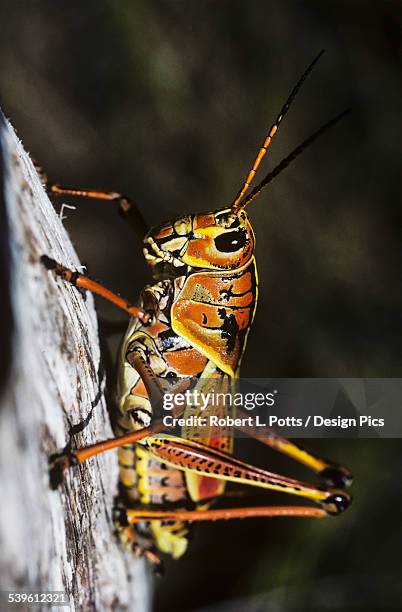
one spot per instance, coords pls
(190, 331)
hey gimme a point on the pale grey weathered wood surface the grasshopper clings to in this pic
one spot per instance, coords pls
(63, 539)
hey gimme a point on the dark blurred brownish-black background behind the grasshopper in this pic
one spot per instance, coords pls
(167, 102)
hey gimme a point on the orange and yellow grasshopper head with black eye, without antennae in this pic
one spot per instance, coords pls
(216, 241)
